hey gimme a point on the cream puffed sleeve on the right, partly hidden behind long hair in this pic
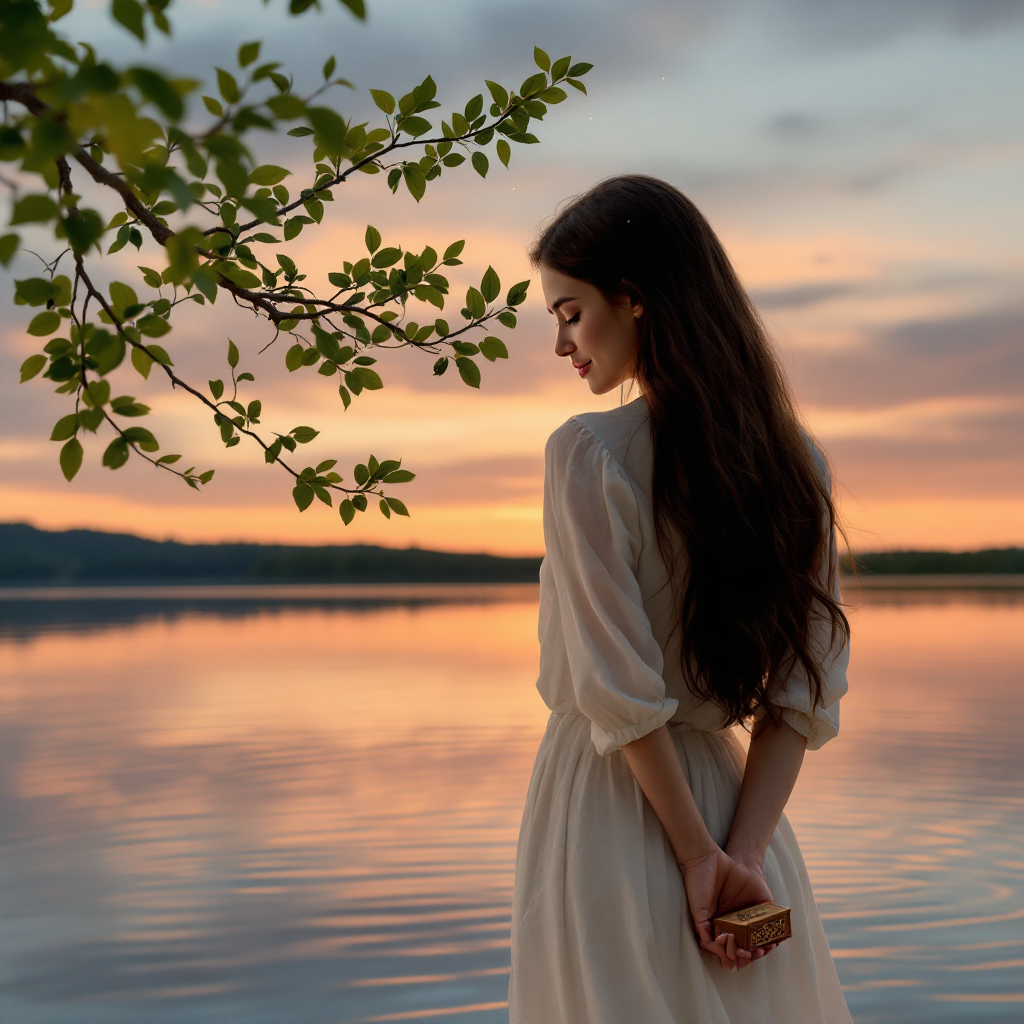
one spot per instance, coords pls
(794, 698)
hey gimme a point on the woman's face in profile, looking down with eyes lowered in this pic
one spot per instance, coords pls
(601, 337)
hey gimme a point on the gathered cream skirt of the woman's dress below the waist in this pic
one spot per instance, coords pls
(602, 933)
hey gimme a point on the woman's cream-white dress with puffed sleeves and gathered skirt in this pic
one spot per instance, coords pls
(602, 933)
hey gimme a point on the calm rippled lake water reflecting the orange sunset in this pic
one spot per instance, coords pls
(281, 813)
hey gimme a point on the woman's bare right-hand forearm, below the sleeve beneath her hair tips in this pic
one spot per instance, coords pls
(774, 762)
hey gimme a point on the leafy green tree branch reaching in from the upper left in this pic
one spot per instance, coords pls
(130, 131)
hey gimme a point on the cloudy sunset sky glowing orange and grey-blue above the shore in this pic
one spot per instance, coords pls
(862, 160)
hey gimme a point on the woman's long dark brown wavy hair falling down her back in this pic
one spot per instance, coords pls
(739, 498)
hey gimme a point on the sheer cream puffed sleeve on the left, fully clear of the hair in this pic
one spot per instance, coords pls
(592, 539)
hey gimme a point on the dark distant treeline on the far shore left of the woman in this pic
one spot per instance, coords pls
(84, 557)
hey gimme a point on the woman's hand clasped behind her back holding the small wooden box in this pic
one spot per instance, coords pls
(717, 884)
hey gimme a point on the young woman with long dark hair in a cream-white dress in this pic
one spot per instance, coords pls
(690, 585)
